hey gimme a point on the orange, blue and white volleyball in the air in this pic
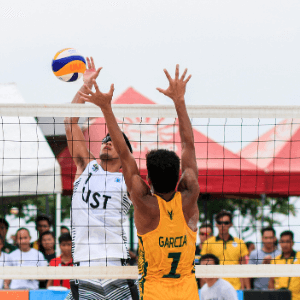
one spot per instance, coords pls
(68, 65)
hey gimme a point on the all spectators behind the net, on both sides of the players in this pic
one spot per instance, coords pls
(223, 249)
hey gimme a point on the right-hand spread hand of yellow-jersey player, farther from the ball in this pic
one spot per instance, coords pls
(176, 89)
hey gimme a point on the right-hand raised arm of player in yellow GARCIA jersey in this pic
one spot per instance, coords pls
(176, 92)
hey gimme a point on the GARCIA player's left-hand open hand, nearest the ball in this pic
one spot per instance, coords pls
(100, 99)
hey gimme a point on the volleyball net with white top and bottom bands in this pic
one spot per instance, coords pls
(248, 160)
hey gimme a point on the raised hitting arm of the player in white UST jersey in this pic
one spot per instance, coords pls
(75, 138)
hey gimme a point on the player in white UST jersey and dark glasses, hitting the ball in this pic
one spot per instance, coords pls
(99, 207)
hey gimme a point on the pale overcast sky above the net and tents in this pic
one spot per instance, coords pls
(239, 52)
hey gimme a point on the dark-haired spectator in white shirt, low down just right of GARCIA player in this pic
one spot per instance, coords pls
(216, 288)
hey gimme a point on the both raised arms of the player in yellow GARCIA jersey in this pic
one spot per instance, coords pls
(146, 206)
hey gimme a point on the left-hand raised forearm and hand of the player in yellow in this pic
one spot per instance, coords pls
(103, 100)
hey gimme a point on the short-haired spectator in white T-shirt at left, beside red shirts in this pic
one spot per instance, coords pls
(24, 256)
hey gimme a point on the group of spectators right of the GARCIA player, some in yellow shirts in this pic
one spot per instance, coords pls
(225, 249)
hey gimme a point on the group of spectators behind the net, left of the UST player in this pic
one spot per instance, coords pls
(39, 253)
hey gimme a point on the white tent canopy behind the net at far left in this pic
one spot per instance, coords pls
(28, 165)
